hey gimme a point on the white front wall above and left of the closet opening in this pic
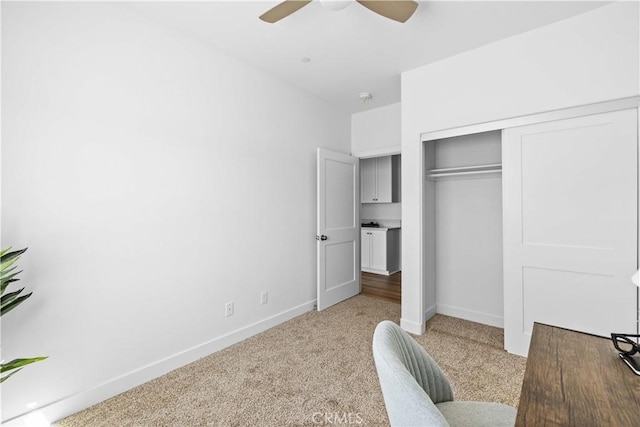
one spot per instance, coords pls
(585, 59)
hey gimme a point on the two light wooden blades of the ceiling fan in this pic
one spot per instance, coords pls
(398, 10)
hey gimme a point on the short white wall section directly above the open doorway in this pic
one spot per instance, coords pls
(376, 132)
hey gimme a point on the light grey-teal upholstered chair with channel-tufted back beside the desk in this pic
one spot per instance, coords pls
(416, 391)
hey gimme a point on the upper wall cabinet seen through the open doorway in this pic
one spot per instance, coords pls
(380, 179)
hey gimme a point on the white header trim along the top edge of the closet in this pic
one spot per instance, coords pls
(565, 113)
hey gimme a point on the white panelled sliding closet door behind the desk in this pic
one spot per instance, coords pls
(570, 212)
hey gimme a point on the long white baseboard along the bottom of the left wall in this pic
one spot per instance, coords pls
(69, 405)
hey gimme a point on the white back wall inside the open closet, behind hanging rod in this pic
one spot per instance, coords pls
(468, 231)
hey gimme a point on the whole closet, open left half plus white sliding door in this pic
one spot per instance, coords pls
(535, 220)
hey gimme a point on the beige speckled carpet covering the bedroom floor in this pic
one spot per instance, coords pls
(316, 364)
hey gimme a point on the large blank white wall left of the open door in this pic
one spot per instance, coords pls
(150, 178)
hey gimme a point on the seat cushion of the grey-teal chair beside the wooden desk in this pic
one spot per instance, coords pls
(477, 414)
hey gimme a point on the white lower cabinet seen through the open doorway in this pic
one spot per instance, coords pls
(380, 250)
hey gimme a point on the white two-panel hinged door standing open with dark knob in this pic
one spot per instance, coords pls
(338, 228)
